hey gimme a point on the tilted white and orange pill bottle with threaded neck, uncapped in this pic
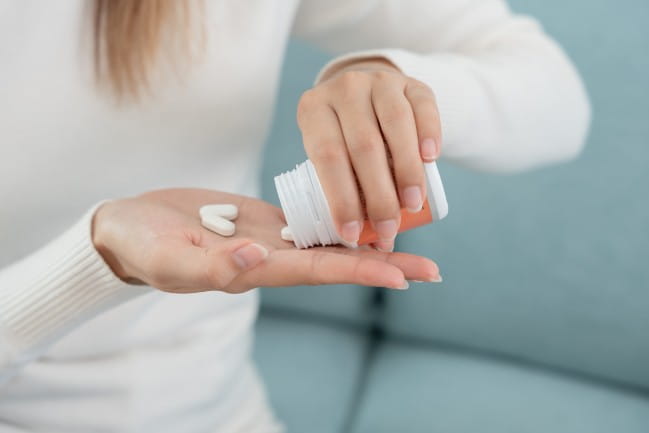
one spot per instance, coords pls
(309, 218)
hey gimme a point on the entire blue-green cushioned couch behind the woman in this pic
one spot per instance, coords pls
(542, 321)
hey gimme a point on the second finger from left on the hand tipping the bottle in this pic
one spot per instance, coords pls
(368, 154)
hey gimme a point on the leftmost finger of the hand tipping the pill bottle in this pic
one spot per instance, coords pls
(325, 146)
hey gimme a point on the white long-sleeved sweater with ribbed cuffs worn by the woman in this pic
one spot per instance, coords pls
(81, 351)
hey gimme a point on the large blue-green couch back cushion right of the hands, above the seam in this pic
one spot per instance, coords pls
(552, 265)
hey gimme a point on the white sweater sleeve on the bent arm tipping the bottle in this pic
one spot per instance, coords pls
(509, 98)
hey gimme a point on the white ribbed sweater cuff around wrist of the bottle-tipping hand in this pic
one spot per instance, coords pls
(446, 74)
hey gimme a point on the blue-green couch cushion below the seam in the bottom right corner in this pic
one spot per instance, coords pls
(415, 390)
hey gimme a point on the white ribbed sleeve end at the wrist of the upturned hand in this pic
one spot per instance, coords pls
(53, 290)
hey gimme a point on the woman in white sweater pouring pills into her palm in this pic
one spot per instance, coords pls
(114, 98)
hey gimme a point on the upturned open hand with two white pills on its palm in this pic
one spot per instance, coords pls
(157, 239)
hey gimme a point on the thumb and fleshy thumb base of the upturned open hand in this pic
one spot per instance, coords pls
(177, 265)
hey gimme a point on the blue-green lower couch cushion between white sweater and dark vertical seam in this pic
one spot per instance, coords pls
(311, 371)
